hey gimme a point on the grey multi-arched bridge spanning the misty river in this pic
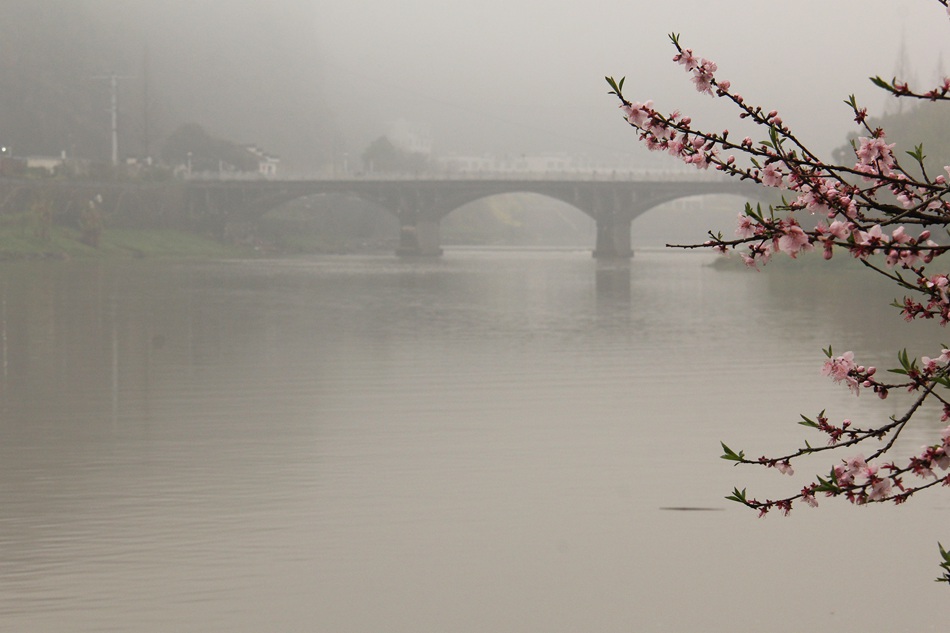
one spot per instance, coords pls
(421, 203)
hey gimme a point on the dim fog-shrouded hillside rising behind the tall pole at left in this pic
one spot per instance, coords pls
(244, 70)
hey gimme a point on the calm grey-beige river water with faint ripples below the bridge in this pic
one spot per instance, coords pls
(492, 441)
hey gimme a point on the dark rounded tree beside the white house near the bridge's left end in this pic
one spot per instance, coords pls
(190, 142)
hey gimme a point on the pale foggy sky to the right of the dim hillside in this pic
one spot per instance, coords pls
(526, 76)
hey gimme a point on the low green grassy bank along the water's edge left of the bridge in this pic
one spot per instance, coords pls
(65, 243)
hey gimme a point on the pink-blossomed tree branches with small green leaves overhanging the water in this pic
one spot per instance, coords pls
(879, 208)
